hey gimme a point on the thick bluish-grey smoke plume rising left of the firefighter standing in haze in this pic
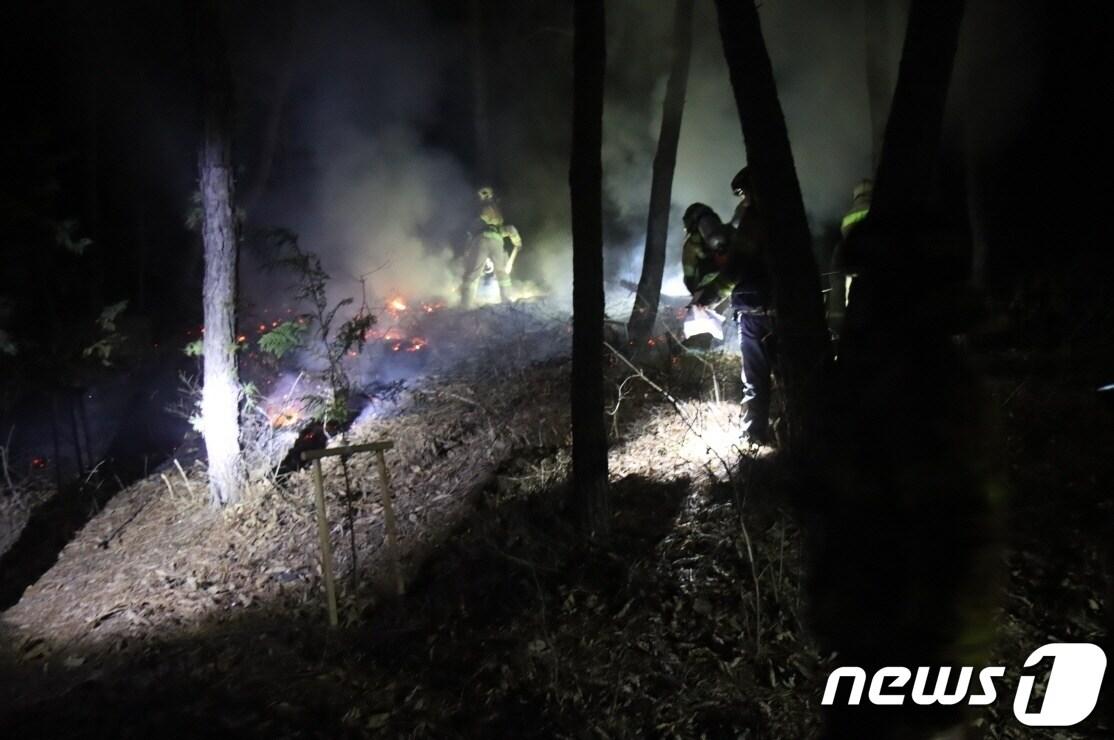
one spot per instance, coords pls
(363, 187)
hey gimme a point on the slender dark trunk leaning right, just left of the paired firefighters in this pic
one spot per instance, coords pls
(661, 191)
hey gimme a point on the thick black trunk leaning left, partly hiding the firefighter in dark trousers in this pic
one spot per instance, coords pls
(803, 335)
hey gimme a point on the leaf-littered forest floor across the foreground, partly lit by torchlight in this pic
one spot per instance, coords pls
(168, 618)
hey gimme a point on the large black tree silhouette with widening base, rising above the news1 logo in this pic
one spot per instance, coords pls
(911, 433)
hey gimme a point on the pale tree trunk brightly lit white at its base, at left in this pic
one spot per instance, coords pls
(220, 393)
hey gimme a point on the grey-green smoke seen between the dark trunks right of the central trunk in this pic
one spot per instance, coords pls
(823, 94)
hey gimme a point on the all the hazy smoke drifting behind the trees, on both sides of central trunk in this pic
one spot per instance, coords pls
(379, 173)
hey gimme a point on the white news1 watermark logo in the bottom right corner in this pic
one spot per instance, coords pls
(1074, 679)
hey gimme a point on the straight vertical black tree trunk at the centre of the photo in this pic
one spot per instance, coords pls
(585, 180)
